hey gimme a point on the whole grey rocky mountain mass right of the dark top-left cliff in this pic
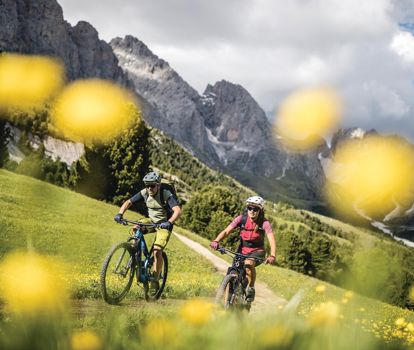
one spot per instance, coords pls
(225, 124)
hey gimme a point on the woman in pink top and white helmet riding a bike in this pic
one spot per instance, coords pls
(253, 227)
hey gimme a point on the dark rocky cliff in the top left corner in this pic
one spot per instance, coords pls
(38, 27)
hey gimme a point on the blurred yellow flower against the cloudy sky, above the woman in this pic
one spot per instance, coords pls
(306, 116)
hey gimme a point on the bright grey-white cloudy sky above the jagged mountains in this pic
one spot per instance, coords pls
(272, 48)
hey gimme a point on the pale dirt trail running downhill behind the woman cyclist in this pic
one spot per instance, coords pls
(265, 299)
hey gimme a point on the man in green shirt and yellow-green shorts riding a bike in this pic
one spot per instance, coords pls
(163, 209)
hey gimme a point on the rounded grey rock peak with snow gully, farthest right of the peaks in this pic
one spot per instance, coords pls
(237, 126)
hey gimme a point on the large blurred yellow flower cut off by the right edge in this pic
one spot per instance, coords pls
(370, 177)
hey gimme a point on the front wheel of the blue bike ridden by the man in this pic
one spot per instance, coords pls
(117, 273)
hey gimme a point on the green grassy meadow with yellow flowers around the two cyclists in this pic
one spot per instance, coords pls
(53, 242)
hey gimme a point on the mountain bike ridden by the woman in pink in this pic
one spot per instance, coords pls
(232, 291)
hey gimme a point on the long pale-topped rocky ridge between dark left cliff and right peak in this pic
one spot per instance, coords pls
(165, 90)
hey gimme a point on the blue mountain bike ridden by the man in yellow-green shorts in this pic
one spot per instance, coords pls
(128, 259)
